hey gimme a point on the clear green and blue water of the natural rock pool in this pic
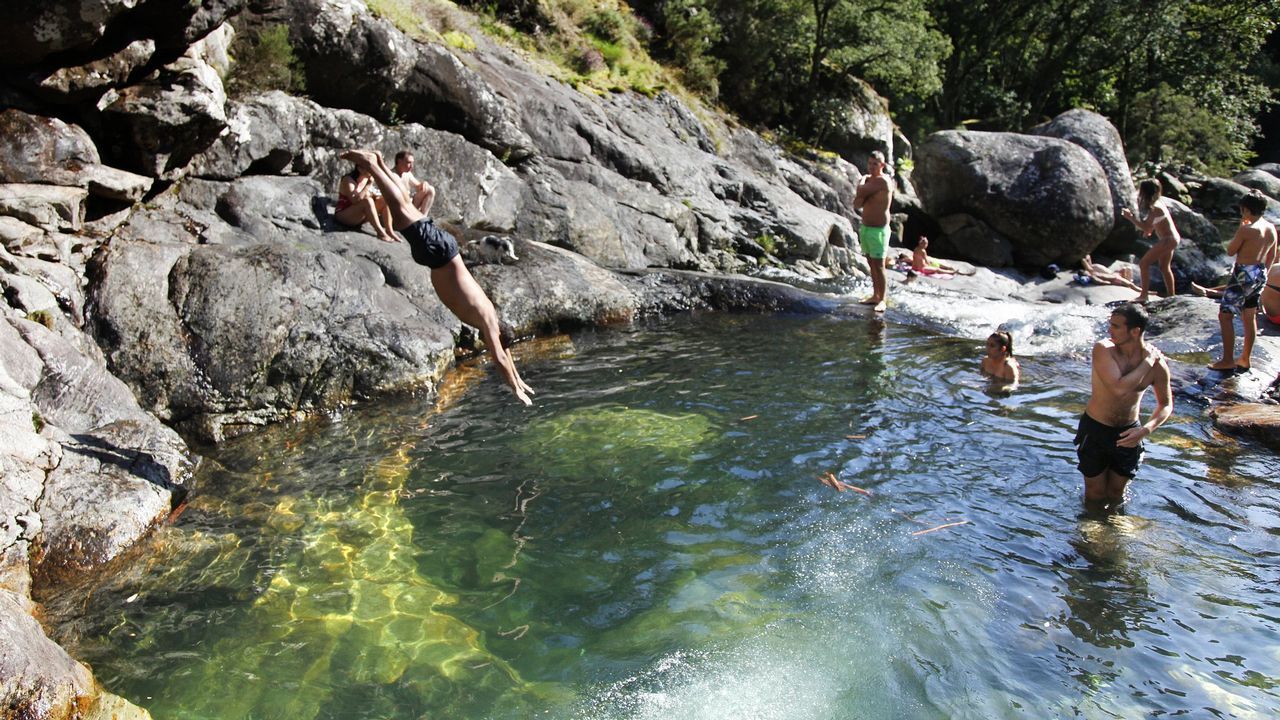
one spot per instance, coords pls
(634, 546)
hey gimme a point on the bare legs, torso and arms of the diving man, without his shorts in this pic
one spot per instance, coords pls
(460, 293)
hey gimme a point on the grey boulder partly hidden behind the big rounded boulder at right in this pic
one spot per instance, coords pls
(1096, 134)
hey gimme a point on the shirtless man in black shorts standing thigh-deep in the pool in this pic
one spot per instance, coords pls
(1109, 440)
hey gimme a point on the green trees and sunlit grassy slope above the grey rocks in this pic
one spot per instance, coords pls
(1190, 84)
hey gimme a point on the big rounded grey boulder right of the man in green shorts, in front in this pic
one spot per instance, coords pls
(1046, 198)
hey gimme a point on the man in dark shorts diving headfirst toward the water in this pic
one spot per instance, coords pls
(438, 250)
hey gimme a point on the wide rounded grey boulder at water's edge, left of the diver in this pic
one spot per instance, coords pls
(220, 339)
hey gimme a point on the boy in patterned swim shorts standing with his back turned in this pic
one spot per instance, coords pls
(1255, 249)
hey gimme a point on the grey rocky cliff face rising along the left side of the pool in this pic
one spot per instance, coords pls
(170, 259)
